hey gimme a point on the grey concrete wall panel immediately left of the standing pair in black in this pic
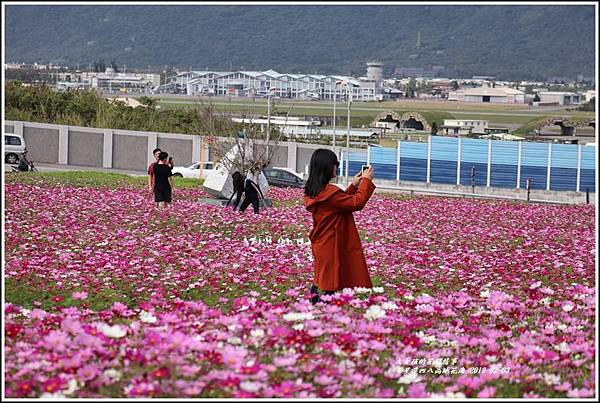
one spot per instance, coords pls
(130, 152)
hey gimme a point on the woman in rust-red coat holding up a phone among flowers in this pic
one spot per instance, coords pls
(338, 256)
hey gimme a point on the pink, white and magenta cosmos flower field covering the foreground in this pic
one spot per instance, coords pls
(107, 297)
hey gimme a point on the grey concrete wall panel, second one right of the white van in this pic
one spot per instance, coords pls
(85, 148)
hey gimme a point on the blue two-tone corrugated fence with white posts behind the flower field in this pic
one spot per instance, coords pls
(496, 163)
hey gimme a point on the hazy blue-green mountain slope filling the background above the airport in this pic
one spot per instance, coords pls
(509, 42)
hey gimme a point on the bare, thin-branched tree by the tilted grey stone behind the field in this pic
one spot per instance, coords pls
(224, 133)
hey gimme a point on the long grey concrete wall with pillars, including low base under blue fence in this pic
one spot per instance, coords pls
(132, 150)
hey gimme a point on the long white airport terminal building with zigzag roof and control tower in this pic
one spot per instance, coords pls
(258, 83)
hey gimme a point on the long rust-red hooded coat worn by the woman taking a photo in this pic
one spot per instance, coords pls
(338, 256)
